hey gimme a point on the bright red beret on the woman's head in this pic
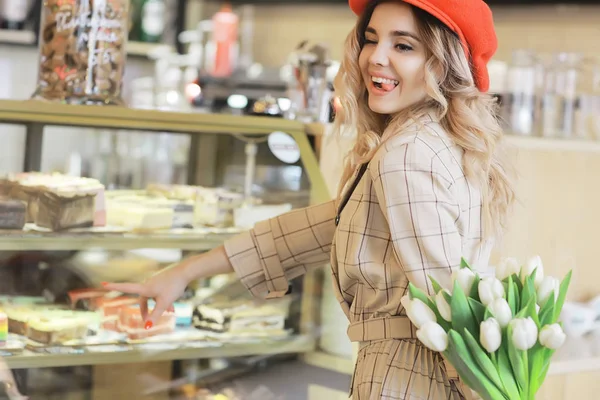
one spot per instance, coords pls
(471, 20)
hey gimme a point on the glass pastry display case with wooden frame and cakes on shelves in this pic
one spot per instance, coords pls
(66, 337)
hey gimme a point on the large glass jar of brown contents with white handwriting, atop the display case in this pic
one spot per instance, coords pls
(82, 51)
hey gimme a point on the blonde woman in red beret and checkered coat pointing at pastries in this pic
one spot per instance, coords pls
(423, 186)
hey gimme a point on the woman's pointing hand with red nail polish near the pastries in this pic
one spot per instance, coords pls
(164, 288)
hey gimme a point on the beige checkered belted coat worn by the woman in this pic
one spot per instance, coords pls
(412, 214)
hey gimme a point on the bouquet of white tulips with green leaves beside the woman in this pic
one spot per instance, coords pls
(498, 332)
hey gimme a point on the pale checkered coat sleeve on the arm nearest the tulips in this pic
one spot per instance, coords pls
(415, 192)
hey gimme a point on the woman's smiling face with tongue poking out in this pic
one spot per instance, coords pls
(392, 60)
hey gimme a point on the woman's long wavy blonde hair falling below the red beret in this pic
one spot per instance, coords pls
(466, 114)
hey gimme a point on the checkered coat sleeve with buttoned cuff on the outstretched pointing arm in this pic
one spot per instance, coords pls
(281, 248)
